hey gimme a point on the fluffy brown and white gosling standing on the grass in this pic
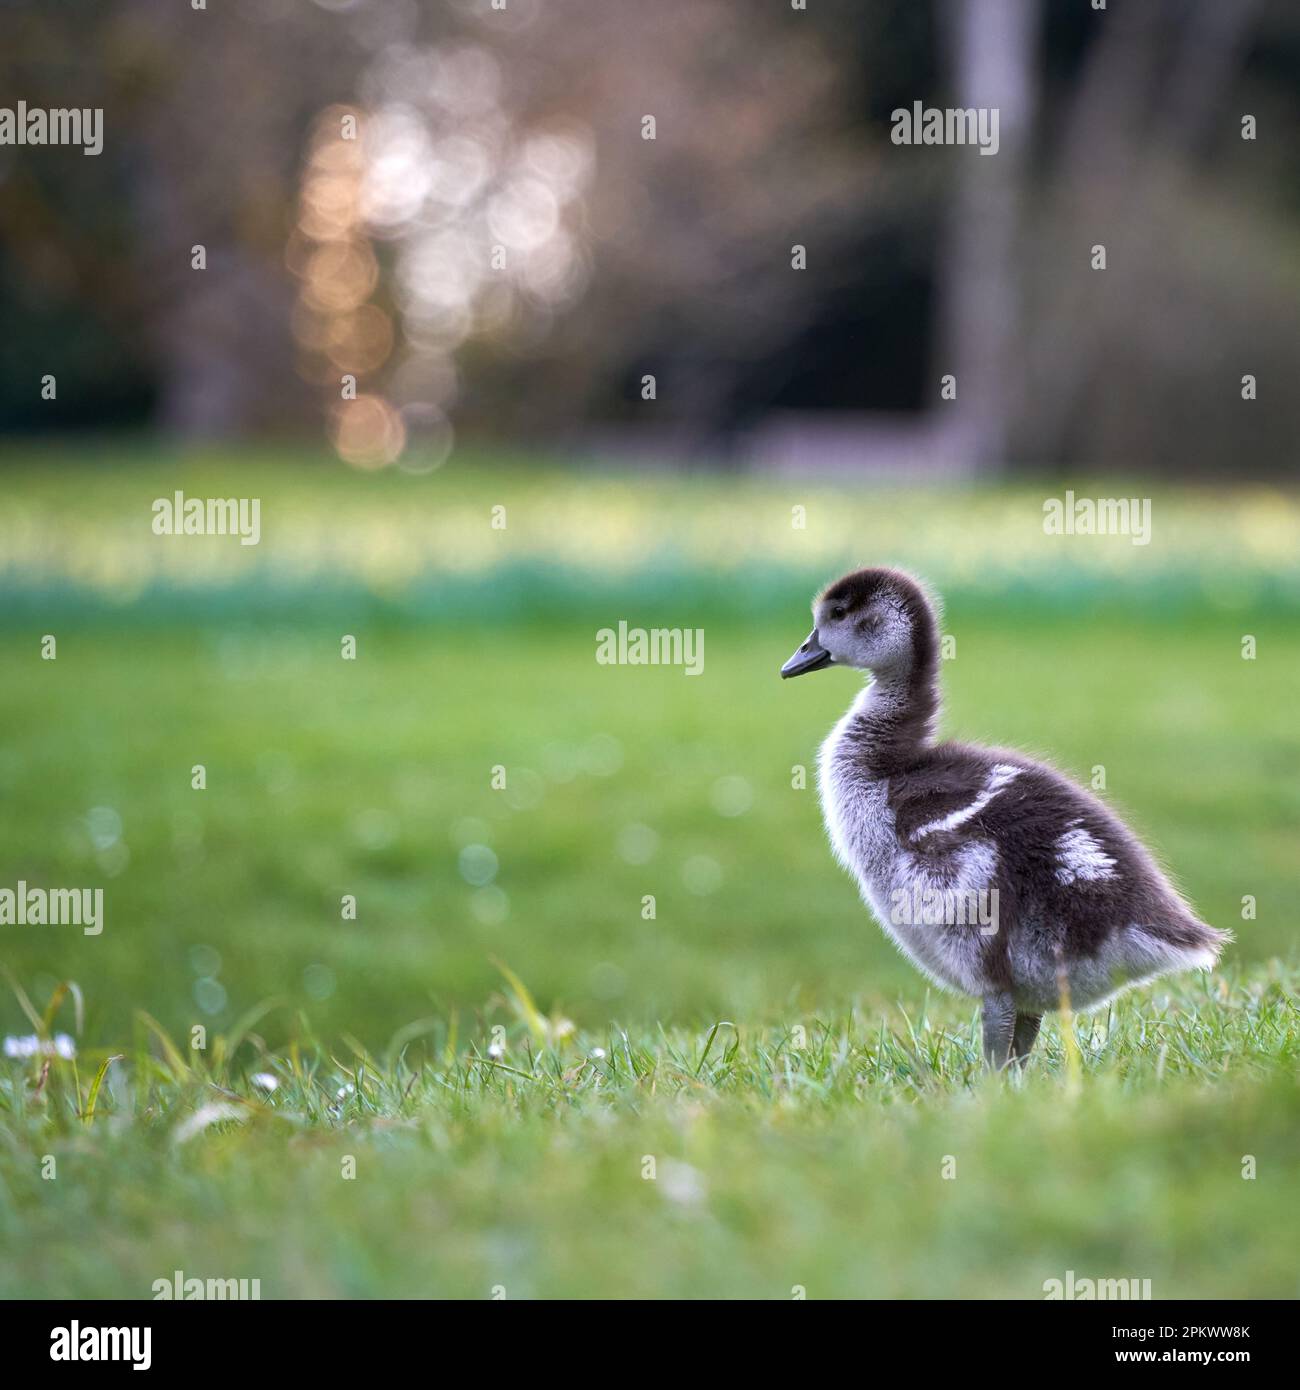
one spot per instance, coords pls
(995, 875)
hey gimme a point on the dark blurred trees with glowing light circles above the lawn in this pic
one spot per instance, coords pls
(500, 250)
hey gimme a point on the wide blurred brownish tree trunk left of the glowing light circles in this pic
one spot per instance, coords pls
(220, 102)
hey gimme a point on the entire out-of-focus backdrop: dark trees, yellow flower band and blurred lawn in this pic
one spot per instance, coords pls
(455, 208)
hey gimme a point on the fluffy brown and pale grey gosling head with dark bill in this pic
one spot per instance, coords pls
(878, 621)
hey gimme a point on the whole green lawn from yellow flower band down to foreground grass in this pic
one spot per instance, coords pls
(789, 1075)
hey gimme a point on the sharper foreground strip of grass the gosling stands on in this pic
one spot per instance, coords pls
(867, 1157)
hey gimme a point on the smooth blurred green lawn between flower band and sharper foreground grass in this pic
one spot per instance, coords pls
(330, 778)
